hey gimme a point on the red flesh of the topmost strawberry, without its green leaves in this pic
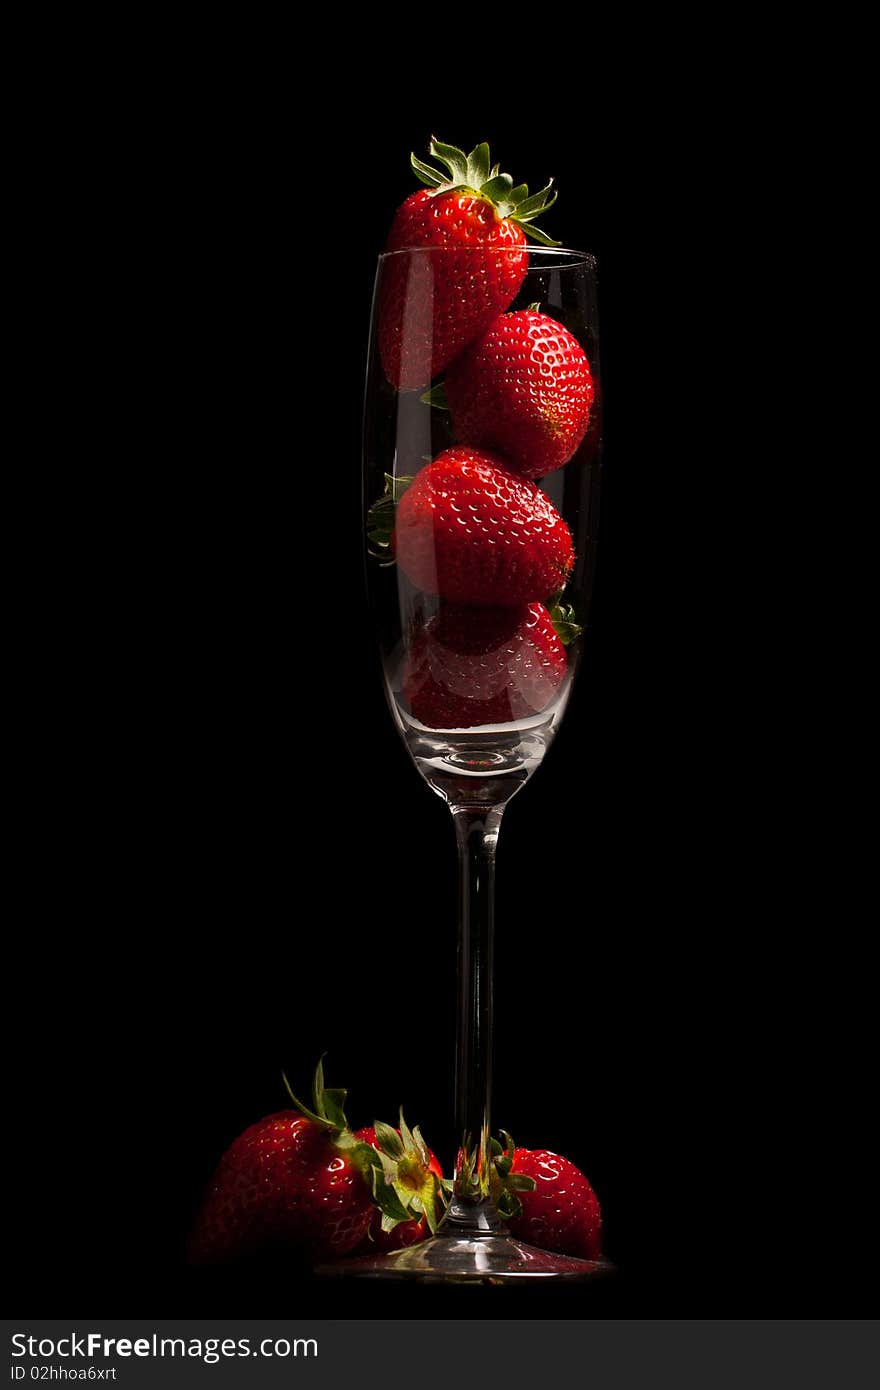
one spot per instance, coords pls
(430, 306)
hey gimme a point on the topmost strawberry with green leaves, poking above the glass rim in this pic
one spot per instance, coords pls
(433, 306)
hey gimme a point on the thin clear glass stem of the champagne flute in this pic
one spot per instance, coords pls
(478, 837)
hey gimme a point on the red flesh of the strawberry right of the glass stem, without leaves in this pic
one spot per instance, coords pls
(564, 1211)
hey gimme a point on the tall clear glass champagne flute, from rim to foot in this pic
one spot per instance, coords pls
(478, 680)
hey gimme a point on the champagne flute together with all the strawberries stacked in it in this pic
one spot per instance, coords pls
(482, 471)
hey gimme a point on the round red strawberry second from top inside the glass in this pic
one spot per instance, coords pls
(526, 390)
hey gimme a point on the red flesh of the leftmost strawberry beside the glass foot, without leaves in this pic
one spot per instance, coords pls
(282, 1182)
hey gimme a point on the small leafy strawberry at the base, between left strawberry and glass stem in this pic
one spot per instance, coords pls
(415, 1179)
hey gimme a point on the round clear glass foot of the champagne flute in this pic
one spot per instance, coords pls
(453, 1259)
